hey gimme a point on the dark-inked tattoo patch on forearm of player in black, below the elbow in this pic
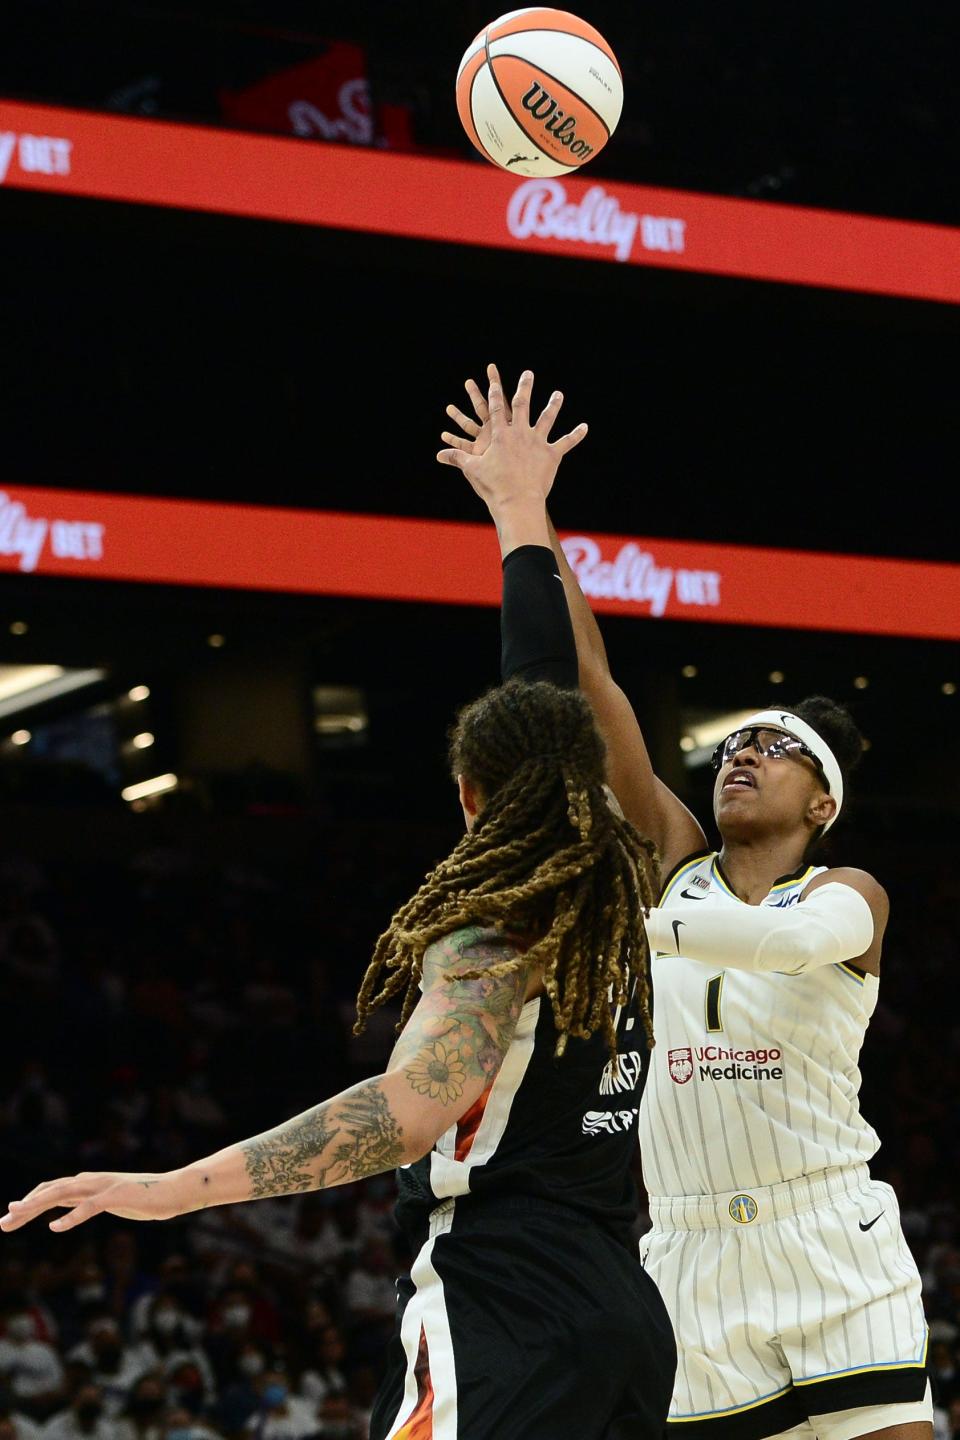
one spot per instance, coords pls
(345, 1140)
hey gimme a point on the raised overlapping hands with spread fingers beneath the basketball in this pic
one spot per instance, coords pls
(503, 456)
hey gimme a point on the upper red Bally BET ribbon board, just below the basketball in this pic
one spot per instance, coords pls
(191, 168)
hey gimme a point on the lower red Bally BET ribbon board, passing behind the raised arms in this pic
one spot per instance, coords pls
(179, 542)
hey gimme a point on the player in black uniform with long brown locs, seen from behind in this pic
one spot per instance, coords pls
(510, 1104)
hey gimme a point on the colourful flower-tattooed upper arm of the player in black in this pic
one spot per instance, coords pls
(461, 1029)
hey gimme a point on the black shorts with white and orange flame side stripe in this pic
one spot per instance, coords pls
(525, 1321)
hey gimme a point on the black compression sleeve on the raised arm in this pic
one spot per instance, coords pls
(536, 631)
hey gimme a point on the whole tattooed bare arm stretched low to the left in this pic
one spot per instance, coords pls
(448, 1055)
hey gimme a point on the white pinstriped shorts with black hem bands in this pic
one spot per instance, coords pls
(788, 1302)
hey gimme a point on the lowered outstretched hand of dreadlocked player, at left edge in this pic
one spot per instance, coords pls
(96, 1193)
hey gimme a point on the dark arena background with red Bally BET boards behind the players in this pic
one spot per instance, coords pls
(247, 258)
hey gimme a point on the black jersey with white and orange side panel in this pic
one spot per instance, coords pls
(556, 1128)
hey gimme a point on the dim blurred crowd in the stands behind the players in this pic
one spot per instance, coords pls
(163, 1002)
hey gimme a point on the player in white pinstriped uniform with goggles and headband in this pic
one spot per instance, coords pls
(795, 1300)
